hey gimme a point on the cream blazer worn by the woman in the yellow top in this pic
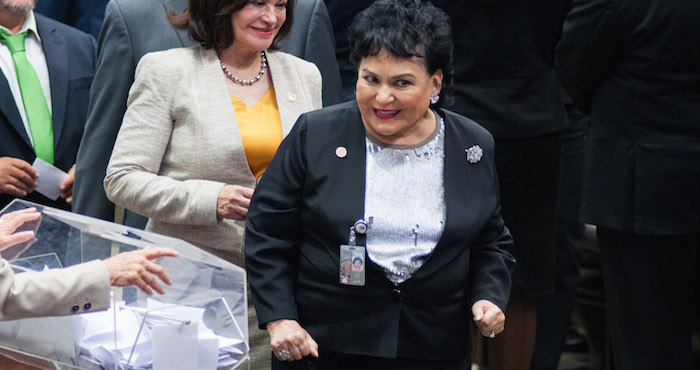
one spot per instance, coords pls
(179, 142)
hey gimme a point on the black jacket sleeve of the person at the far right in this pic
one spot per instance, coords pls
(587, 49)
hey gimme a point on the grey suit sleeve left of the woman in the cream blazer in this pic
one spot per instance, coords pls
(110, 87)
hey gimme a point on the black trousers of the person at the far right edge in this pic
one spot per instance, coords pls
(652, 286)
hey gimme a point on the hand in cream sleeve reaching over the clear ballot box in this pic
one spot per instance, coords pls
(136, 268)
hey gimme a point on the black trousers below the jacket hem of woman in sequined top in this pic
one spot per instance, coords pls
(338, 361)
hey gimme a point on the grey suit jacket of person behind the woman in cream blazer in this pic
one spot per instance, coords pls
(133, 28)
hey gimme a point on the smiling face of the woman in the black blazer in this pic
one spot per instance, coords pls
(393, 95)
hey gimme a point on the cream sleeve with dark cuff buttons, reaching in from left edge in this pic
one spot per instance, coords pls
(76, 289)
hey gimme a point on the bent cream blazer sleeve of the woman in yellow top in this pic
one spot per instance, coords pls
(133, 178)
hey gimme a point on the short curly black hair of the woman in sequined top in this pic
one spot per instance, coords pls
(405, 29)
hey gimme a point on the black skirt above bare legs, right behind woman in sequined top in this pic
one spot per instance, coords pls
(528, 173)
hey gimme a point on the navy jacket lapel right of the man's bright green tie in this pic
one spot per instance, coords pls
(57, 61)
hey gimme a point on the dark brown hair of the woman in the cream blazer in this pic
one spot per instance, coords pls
(209, 22)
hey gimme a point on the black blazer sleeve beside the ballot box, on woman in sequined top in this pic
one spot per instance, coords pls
(273, 229)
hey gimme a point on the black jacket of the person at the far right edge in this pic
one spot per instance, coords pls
(635, 64)
